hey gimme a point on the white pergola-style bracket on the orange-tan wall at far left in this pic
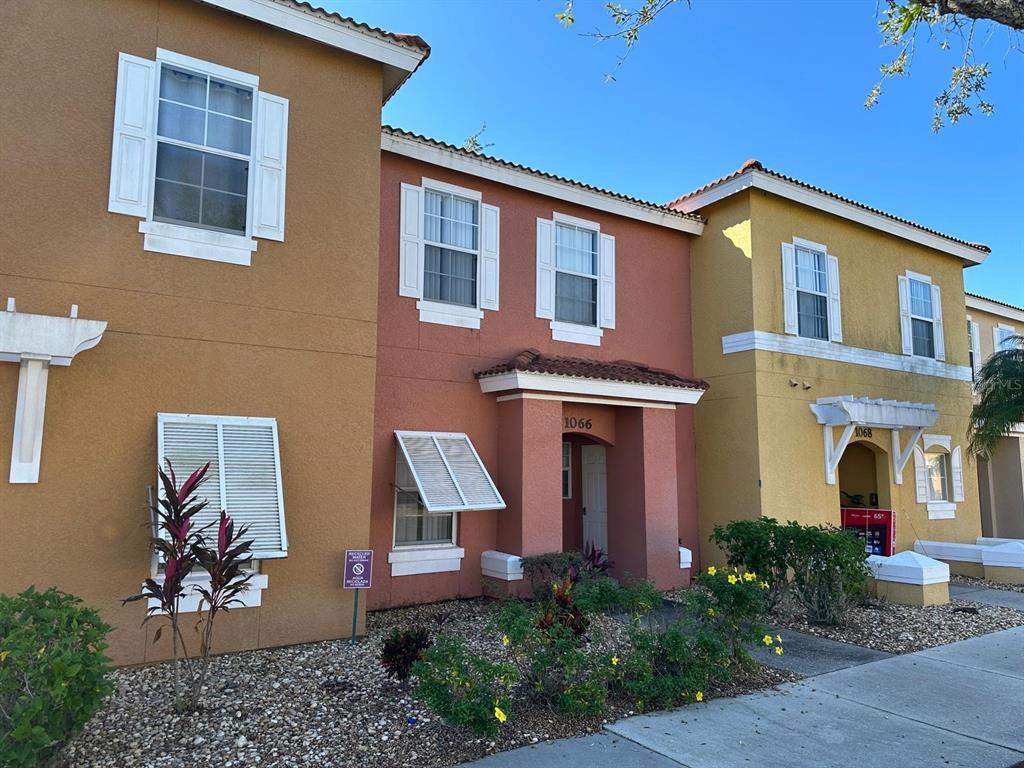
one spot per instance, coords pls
(36, 343)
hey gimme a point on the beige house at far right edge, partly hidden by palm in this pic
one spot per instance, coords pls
(1001, 478)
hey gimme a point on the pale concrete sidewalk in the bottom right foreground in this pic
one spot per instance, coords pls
(959, 705)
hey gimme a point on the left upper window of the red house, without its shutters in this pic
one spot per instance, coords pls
(451, 231)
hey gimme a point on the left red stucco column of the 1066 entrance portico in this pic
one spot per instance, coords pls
(530, 475)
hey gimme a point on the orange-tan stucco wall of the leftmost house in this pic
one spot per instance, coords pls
(291, 337)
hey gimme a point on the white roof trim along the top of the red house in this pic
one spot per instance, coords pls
(485, 168)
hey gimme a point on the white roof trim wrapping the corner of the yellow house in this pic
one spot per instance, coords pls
(799, 194)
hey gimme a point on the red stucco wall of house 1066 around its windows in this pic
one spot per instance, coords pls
(425, 372)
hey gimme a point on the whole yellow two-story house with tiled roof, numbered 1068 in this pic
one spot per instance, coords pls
(832, 335)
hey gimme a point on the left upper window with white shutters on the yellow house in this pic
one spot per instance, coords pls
(812, 293)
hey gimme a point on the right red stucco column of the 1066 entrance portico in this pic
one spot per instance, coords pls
(644, 508)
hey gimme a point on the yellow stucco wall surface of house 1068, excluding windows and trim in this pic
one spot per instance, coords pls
(738, 287)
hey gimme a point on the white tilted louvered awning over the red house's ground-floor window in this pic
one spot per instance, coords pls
(448, 472)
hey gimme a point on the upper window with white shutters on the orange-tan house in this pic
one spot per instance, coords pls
(199, 154)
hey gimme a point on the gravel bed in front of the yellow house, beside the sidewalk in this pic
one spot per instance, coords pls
(905, 629)
